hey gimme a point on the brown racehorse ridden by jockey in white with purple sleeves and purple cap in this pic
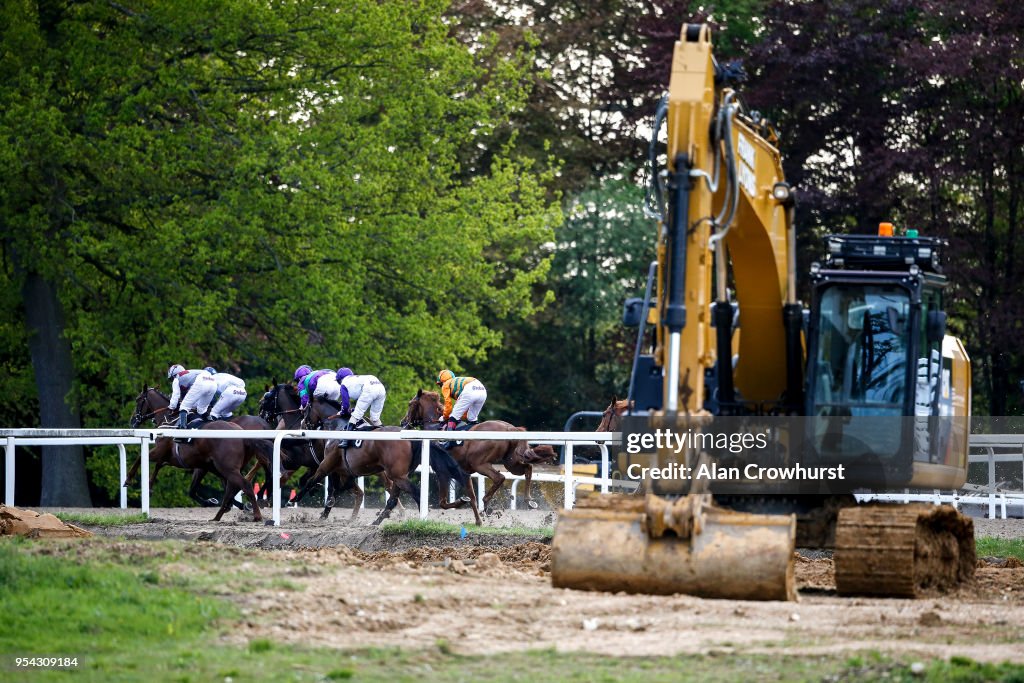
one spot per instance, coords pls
(392, 460)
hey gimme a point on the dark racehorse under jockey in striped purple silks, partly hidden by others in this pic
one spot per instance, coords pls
(280, 407)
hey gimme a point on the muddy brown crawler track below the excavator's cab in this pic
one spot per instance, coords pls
(903, 550)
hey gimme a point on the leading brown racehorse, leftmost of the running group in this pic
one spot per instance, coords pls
(226, 458)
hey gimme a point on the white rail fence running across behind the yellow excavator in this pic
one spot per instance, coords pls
(989, 449)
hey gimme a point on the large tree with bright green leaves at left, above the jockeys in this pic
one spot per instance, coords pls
(253, 188)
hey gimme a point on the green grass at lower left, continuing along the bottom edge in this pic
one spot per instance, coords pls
(160, 612)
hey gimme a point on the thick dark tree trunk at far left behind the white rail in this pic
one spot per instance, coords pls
(65, 482)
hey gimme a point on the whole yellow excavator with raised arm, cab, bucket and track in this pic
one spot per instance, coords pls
(866, 382)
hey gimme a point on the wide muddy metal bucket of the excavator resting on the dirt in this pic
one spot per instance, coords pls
(652, 545)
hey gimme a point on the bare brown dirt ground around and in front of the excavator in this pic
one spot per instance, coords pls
(486, 594)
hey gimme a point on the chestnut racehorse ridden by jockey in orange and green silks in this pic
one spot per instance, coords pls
(478, 457)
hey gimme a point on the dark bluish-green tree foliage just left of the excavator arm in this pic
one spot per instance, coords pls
(575, 355)
